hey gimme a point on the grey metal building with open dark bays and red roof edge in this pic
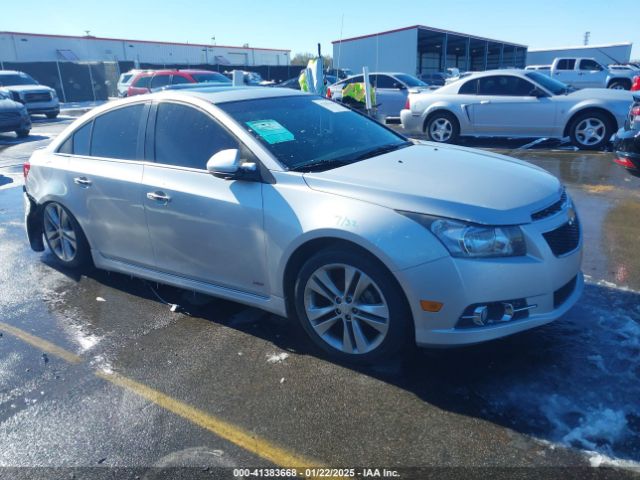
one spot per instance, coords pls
(419, 49)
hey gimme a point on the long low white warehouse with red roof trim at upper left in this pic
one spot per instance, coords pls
(18, 47)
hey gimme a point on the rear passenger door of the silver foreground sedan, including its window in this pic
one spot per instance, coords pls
(104, 181)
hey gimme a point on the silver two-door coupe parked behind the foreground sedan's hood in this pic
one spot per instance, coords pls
(517, 103)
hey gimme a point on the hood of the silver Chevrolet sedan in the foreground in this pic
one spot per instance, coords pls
(447, 181)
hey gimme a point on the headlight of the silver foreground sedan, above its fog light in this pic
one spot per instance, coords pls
(470, 240)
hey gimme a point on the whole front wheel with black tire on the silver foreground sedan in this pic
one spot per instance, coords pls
(351, 307)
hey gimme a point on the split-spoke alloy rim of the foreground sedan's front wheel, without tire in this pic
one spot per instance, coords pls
(346, 308)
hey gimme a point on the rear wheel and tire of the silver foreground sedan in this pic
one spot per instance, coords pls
(64, 237)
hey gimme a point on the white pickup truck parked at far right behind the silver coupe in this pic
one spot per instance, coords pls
(587, 73)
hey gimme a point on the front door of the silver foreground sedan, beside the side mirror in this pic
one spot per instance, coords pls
(201, 227)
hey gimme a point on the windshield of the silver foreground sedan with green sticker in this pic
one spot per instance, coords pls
(309, 132)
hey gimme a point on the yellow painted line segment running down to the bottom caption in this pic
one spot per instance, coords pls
(248, 441)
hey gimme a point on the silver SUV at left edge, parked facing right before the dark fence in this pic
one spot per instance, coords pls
(24, 89)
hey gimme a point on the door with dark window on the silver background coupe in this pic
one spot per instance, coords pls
(505, 106)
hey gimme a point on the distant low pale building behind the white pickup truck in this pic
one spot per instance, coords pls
(605, 54)
